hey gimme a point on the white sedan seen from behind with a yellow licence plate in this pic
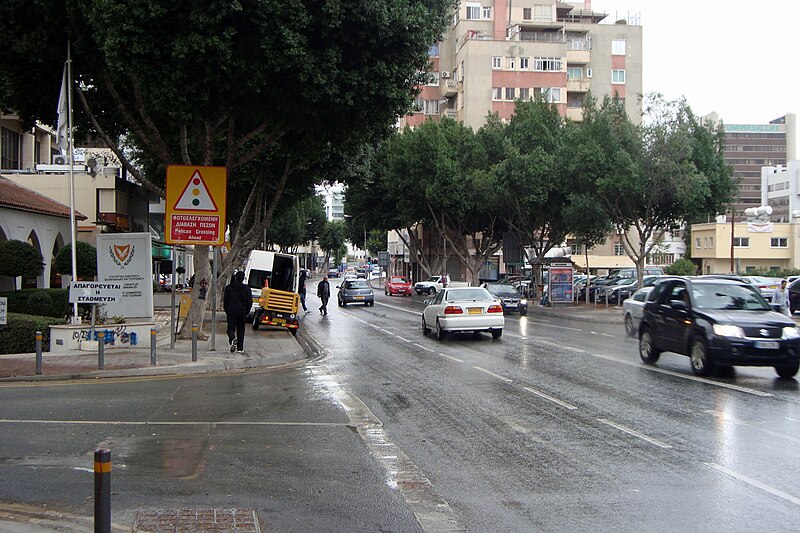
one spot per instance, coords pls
(463, 309)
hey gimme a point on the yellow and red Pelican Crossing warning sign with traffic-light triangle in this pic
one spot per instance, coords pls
(195, 205)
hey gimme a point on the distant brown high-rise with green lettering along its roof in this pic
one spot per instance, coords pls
(748, 147)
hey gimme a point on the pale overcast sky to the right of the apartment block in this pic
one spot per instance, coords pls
(737, 58)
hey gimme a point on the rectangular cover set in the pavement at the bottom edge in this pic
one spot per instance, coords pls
(197, 521)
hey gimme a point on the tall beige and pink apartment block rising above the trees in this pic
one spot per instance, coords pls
(497, 51)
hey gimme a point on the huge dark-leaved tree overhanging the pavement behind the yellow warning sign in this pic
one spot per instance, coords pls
(264, 88)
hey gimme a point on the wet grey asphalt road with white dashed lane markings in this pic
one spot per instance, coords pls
(557, 426)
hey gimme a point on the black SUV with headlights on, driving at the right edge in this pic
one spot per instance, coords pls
(717, 322)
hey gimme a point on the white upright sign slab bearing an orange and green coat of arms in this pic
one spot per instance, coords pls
(126, 259)
